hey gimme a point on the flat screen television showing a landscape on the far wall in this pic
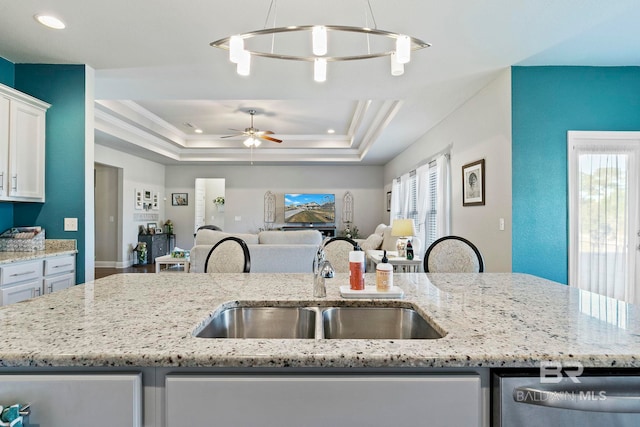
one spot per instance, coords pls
(310, 208)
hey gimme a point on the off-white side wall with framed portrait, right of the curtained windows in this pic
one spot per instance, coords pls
(479, 129)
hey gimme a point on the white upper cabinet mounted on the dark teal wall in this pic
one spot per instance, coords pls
(22, 146)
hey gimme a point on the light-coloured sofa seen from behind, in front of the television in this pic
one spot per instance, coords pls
(272, 251)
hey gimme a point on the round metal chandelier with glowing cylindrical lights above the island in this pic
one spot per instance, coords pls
(319, 36)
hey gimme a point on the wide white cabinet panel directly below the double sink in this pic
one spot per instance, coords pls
(323, 400)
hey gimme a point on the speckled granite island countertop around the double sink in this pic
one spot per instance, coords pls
(490, 319)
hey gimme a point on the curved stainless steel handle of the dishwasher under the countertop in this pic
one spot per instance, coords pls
(617, 399)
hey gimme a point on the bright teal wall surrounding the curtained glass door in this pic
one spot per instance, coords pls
(546, 103)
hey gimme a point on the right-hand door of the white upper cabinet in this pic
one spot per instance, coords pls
(26, 153)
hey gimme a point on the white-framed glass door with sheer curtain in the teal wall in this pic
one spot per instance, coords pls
(603, 214)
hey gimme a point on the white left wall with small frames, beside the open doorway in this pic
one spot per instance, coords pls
(136, 173)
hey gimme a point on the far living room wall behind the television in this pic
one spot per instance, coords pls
(247, 184)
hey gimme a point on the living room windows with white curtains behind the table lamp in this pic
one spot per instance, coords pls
(423, 195)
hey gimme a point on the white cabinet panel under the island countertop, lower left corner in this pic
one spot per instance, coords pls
(77, 400)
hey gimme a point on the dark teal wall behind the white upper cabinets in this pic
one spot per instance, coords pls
(62, 86)
